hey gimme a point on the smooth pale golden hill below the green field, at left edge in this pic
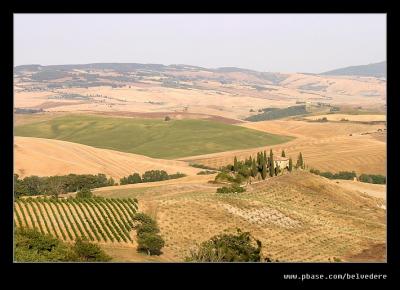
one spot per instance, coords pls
(46, 157)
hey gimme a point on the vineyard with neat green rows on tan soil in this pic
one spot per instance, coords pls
(95, 219)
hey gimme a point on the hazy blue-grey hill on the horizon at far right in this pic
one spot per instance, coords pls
(372, 70)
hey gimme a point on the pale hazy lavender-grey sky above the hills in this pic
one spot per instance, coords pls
(265, 42)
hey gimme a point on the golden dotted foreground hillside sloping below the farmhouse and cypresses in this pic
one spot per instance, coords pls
(320, 218)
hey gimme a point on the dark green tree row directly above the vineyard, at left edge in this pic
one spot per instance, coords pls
(56, 185)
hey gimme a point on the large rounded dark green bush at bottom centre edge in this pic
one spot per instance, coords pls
(239, 247)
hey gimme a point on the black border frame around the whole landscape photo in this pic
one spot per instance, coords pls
(246, 274)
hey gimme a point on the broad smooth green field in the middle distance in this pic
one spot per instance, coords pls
(151, 137)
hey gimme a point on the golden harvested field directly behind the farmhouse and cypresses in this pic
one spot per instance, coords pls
(325, 146)
